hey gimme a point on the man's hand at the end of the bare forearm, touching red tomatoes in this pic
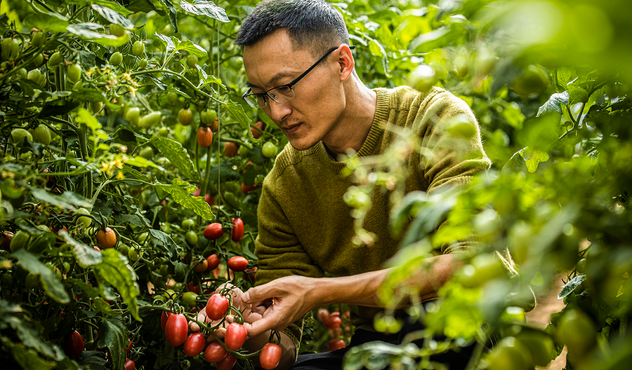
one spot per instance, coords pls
(281, 302)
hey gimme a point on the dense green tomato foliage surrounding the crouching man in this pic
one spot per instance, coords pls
(130, 172)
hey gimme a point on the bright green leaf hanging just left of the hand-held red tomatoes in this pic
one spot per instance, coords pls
(115, 270)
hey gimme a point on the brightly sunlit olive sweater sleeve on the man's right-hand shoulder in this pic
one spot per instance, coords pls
(451, 149)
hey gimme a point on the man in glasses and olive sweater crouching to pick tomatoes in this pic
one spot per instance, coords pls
(300, 71)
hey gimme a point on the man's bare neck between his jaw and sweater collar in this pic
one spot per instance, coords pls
(355, 122)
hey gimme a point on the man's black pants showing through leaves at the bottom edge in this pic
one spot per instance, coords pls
(333, 360)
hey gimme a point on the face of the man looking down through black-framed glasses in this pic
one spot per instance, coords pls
(319, 101)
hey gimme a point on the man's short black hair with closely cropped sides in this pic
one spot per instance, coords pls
(314, 25)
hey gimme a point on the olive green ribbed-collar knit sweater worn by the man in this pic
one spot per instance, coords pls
(305, 227)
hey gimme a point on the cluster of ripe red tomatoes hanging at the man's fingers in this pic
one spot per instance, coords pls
(176, 328)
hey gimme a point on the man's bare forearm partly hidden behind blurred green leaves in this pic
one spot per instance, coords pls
(361, 290)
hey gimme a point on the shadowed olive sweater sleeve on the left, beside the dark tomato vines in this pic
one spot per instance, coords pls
(279, 252)
